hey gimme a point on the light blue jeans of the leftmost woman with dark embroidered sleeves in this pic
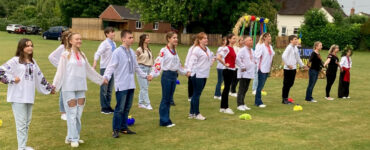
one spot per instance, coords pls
(22, 116)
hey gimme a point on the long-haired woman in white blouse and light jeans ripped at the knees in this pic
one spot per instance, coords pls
(73, 68)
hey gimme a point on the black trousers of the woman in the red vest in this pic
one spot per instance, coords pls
(227, 75)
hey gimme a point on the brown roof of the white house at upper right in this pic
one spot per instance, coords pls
(297, 7)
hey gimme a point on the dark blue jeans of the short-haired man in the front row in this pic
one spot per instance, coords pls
(122, 110)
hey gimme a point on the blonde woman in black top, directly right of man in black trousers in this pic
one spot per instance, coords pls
(315, 64)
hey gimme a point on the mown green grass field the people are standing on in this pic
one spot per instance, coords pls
(338, 124)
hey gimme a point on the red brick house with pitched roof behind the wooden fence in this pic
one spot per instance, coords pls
(121, 17)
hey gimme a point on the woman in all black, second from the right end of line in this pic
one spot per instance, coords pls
(332, 63)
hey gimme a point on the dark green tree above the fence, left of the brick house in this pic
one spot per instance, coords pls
(85, 8)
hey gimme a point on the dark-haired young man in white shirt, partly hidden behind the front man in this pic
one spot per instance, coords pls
(104, 52)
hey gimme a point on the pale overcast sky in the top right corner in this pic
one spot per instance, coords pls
(359, 5)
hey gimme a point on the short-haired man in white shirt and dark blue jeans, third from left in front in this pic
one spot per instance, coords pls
(123, 65)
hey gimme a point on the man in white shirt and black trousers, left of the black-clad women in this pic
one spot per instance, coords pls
(290, 58)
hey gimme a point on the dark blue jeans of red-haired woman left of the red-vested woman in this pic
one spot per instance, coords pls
(198, 86)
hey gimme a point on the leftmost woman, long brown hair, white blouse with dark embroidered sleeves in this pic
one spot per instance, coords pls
(23, 76)
